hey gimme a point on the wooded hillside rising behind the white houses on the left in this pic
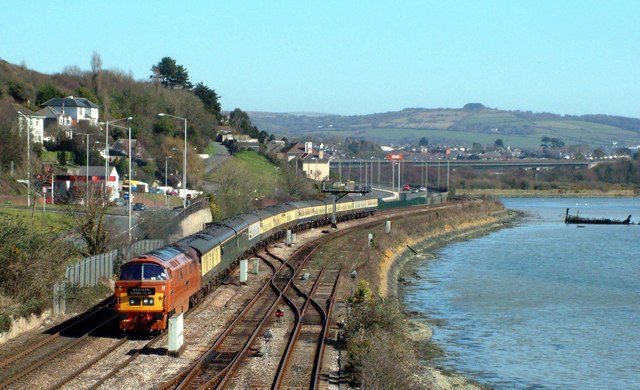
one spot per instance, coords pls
(118, 95)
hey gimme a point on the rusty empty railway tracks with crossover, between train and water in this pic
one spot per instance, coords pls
(221, 365)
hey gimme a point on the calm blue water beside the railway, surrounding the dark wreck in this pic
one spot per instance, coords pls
(542, 305)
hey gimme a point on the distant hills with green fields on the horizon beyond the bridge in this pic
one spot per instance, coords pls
(464, 126)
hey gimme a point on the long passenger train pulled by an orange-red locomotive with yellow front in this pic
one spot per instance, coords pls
(170, 280)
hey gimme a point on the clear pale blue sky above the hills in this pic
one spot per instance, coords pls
(353, 57)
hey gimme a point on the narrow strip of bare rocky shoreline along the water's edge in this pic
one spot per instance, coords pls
(421, 331)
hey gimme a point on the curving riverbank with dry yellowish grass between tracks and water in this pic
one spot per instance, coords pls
(415, 248)
